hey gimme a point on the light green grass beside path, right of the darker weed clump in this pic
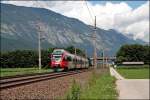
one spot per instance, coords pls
(100, 87)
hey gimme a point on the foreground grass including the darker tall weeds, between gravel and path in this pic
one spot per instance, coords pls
(99, 87)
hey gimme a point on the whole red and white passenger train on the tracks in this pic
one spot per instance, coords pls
(62, 59)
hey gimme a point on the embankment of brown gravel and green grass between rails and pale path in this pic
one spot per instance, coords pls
(93, 84)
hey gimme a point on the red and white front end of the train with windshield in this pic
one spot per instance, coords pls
(57, 59)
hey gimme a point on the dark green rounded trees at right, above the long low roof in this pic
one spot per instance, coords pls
(134, 52)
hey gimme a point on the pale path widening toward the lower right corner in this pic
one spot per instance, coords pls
(131, 88)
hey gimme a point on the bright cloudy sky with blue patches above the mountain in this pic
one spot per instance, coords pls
(128, 17)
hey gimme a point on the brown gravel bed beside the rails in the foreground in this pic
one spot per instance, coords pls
(49, 89)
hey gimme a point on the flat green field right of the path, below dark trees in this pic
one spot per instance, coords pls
(134, 73)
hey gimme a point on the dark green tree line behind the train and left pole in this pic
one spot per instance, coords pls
(29, 58)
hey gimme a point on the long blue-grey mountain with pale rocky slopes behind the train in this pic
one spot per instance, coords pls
(20, 26)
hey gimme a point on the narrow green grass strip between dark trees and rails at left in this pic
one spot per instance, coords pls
(21, 71)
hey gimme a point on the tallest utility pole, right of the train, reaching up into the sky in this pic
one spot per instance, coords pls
(94, 43)
